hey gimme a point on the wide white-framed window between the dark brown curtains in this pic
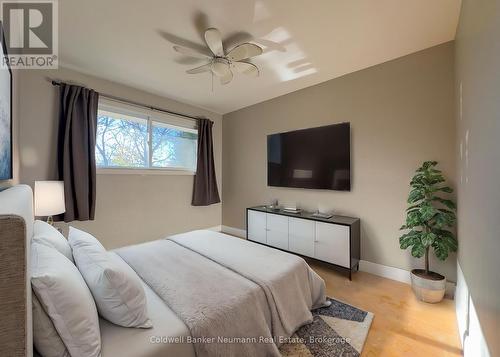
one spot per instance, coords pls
(133, 138)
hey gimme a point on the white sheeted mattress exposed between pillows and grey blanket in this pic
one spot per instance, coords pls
(168, 337)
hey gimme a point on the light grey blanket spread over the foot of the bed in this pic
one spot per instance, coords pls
(224, 287)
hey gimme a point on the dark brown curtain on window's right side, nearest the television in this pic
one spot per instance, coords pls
(205, 190)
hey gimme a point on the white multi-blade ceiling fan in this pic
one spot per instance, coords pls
(221, 63)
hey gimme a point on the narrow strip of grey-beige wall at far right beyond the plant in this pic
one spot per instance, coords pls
(478, 152)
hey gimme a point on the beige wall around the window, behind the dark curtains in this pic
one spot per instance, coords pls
(130, 208)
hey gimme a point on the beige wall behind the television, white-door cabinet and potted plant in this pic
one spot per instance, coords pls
(401, 113)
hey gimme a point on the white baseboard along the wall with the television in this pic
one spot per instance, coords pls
(366, 266)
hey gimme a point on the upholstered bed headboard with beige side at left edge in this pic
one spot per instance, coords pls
(16, 231)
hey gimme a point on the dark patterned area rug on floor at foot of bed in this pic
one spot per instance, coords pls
(337, 330)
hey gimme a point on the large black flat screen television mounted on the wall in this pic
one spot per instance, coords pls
(318, 158)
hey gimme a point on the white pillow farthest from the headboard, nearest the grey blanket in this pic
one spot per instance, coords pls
(118, 292)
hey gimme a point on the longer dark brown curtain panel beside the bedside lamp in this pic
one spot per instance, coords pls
(76, 150)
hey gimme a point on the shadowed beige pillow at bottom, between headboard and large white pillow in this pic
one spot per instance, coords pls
(45, 337)
